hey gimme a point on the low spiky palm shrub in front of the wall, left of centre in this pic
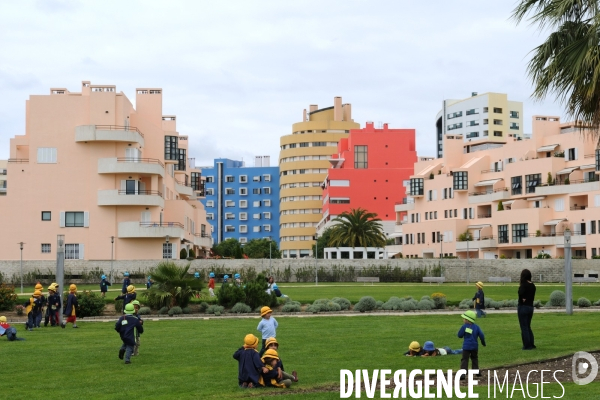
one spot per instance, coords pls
(172, 286)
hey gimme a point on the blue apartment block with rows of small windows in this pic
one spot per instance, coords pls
(242, 202)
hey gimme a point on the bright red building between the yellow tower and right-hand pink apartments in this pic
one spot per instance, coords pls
(368, 172)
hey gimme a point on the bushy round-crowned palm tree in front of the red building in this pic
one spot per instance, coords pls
(357, 228)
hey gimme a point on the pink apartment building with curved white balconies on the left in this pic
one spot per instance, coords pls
(111, 178)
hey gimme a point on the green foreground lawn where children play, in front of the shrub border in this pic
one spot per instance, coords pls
(193, 358)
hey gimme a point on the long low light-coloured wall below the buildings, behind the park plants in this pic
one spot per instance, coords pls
(454, 270)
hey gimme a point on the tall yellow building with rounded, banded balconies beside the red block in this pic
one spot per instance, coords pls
(303, 163)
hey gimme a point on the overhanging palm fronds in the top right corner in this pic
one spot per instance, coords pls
(568, 62)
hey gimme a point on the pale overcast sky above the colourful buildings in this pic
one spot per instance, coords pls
(239, 73)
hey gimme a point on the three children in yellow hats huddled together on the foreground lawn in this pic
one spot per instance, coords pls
(264, 368)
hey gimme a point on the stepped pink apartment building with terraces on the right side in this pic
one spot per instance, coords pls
(512, 200)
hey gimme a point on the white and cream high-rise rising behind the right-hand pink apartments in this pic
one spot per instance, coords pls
(484, 121)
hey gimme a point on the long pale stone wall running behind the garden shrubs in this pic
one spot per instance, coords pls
(454, 270)
